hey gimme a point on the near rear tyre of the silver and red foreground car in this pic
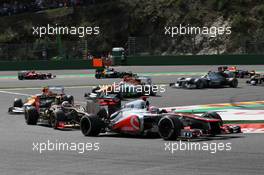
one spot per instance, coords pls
(91, 125)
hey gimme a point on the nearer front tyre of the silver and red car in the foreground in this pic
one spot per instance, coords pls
(169, 128)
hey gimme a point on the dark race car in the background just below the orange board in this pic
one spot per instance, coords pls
(110, 73)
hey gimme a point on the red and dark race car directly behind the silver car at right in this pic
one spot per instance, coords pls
(234, 72)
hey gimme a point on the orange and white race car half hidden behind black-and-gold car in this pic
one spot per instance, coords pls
(49, 95)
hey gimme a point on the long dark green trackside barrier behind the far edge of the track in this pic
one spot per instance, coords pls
(138, 61)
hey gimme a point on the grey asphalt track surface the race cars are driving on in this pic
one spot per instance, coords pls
(124, 155)
